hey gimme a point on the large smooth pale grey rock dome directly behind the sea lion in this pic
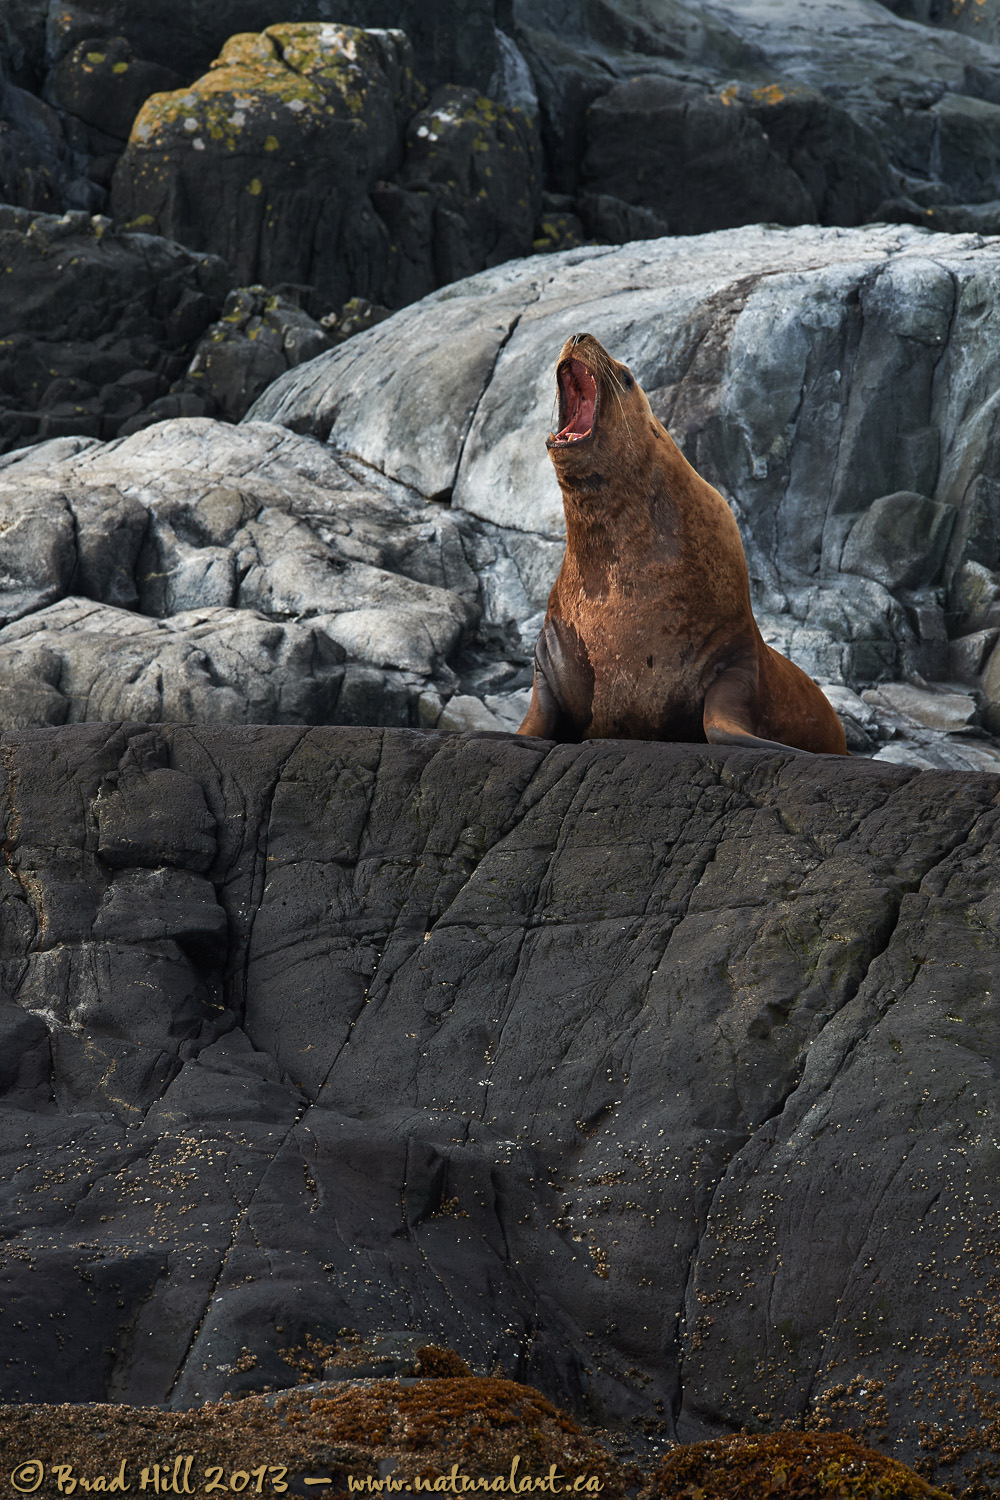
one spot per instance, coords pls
(830, 383)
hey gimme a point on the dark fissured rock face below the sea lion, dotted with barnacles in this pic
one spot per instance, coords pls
(660, 1076)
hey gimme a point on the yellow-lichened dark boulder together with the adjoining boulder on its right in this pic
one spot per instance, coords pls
(422, 196)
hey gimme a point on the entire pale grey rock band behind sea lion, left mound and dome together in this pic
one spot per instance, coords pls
(404, 565)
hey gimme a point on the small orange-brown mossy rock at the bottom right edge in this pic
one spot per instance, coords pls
(786, 1466)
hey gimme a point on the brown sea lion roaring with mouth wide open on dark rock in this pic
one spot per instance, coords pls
(650, 632)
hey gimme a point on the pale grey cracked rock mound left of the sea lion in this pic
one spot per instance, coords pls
(259, 563)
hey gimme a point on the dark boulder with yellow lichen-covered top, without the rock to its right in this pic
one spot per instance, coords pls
(281, 116)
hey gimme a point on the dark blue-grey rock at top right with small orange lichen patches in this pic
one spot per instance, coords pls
(836, 115)
